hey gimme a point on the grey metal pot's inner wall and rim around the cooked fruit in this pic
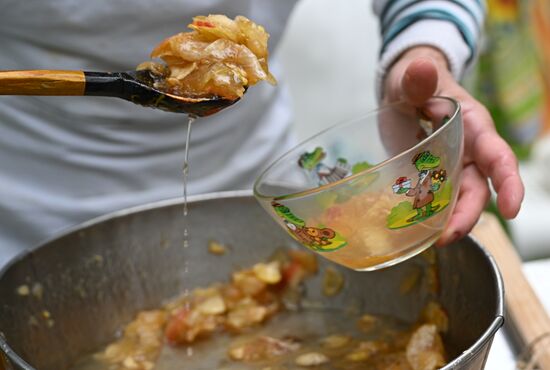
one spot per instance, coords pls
(84, 285)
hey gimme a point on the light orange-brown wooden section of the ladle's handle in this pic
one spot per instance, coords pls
(42, 82)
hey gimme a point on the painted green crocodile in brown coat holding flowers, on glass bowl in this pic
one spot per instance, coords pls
(431, 193)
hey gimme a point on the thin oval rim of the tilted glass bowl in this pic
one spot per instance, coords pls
(318, 189)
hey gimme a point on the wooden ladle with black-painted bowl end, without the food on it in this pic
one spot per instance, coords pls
(134, 86)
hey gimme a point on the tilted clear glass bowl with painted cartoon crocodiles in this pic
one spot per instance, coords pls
(373, 191)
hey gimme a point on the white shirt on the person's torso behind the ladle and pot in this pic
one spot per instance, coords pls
(64, 160)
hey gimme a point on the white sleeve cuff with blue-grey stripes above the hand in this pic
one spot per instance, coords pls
(452, 26)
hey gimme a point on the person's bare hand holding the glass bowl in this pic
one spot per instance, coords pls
(422, 72)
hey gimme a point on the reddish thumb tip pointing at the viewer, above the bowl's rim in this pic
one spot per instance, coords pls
(419, 81)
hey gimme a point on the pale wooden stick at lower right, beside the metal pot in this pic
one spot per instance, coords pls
(524, 310)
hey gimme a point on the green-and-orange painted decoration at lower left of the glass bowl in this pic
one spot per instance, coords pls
(319, 239)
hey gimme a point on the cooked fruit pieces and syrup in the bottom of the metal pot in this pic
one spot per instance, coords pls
(262, 320)
